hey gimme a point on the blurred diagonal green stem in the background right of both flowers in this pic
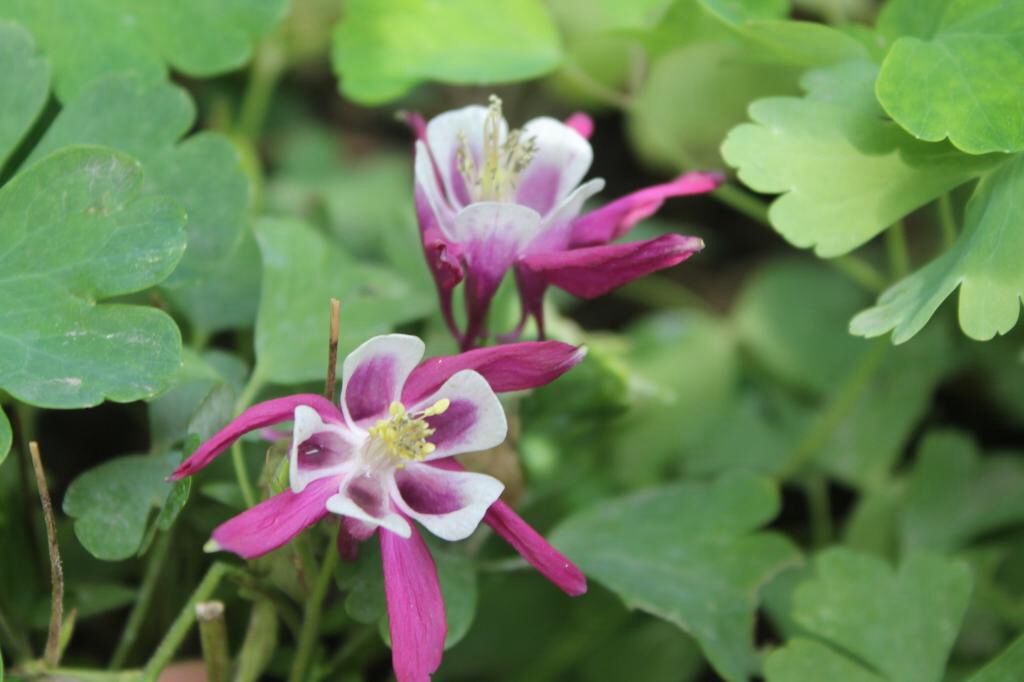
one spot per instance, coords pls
(843, 401)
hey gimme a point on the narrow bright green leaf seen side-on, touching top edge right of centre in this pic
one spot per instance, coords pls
(782, 41)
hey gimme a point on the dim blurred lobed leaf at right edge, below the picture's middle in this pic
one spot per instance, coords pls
(954, 496)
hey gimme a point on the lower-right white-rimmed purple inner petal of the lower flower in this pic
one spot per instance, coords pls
(450, 504)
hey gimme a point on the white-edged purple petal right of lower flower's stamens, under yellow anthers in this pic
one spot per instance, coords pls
(475, 419)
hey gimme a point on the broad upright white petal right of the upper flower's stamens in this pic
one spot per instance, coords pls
(564, 157)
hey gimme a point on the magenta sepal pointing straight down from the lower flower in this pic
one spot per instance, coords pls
(415, 607)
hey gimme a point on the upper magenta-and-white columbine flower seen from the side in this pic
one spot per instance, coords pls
(490, 199)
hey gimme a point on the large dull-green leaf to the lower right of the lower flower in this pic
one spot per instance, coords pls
(690, 553)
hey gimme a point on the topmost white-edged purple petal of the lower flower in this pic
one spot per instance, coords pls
(374, 374)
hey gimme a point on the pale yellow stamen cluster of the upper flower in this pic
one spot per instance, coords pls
(495, 180)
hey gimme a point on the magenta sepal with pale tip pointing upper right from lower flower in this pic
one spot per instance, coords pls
(513, 367)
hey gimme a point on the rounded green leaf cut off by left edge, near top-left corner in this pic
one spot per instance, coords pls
(25, 83)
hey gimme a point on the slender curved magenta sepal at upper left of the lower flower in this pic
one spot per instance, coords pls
(257, 417)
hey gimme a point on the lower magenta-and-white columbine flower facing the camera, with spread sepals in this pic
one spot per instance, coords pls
(386, 458)
